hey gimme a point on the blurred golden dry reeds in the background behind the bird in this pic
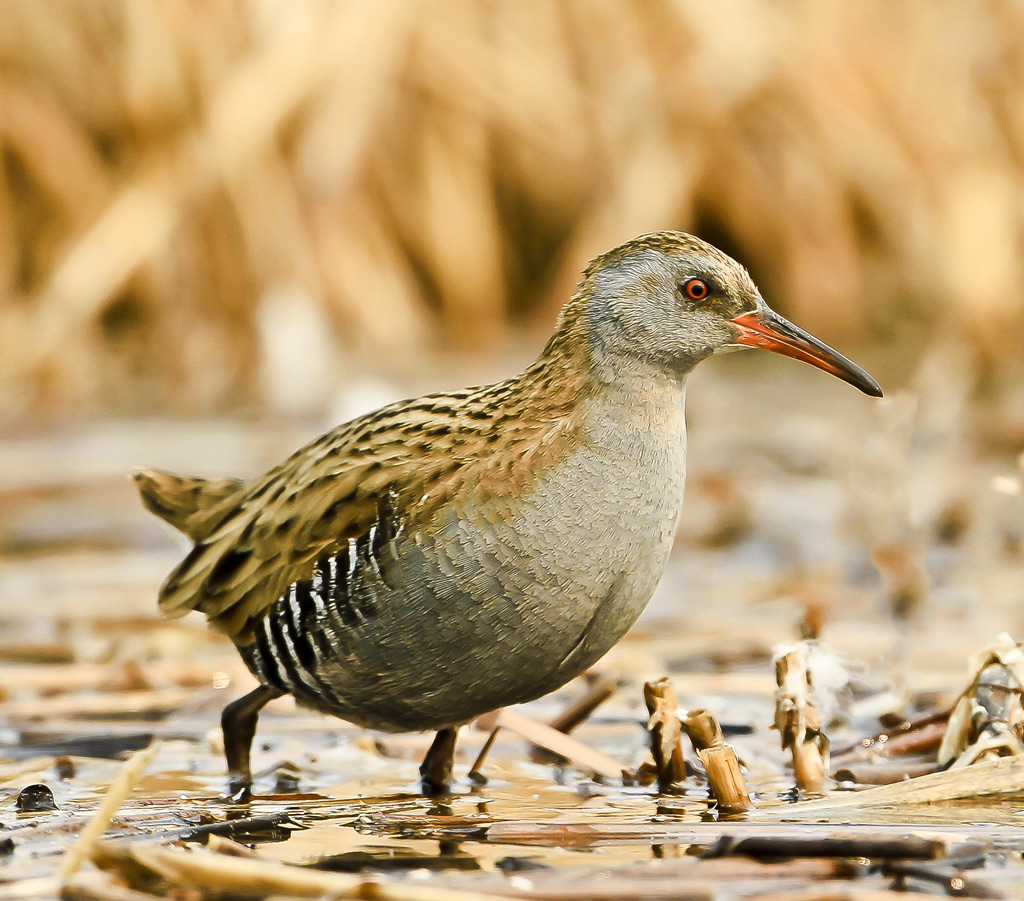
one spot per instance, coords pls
(201, 199)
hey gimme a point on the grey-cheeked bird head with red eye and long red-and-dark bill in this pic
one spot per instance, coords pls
(670, 301)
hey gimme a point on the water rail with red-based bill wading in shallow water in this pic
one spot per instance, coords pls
(451, 554)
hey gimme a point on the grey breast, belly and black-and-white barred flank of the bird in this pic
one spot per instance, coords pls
(500, 602)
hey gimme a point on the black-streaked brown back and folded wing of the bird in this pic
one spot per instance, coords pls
(398, 462)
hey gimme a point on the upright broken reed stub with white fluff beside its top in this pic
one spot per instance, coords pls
(797, 718)
